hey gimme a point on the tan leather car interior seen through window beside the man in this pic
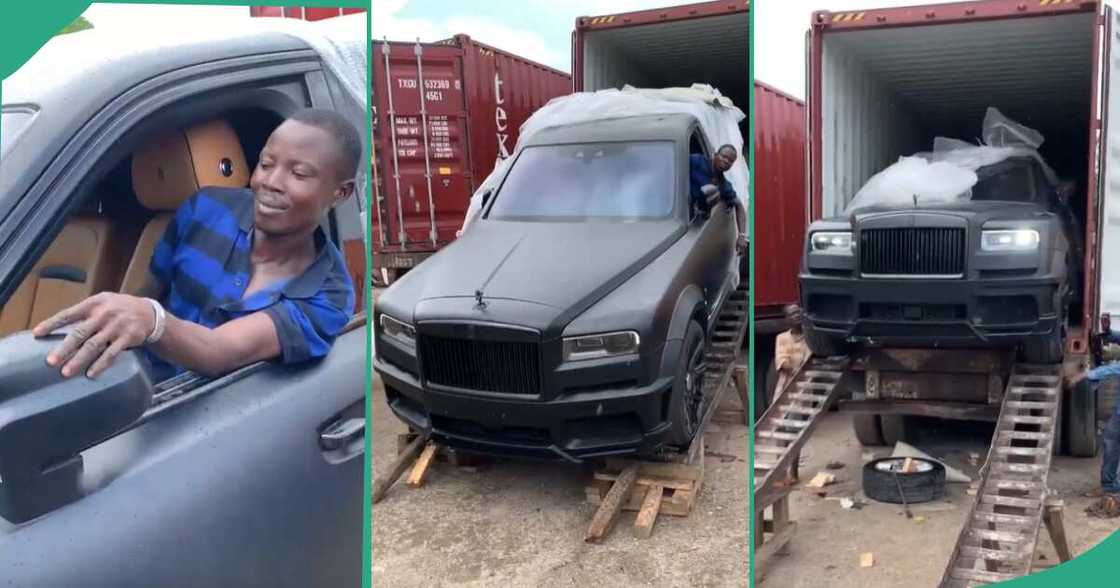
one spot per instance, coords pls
(108, 241)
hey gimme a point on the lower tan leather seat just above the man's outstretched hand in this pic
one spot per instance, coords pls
(78, 265)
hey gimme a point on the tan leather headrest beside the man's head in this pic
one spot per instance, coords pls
(173, 166)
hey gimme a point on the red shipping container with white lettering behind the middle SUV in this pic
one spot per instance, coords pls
(443, 116)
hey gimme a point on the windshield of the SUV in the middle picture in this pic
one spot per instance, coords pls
(590, 181)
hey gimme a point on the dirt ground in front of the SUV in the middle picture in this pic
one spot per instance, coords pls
(522, 524)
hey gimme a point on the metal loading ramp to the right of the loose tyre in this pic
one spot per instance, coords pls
(998, 540)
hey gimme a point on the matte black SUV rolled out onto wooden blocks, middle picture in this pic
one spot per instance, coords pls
(572, 320)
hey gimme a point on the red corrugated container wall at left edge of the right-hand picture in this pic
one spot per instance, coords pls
(781, 199)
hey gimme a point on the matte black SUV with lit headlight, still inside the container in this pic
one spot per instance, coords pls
(996, 268)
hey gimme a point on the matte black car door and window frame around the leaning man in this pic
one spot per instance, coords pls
(250, 480)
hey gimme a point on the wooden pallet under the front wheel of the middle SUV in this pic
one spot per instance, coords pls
(649, 488)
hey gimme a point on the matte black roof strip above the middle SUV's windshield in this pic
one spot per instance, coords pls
(640, 128)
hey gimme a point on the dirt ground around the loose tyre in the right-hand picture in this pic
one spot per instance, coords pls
(828, 543)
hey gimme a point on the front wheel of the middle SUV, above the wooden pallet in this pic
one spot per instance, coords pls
(688, 388)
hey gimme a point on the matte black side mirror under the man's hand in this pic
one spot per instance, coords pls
(48, 421)
